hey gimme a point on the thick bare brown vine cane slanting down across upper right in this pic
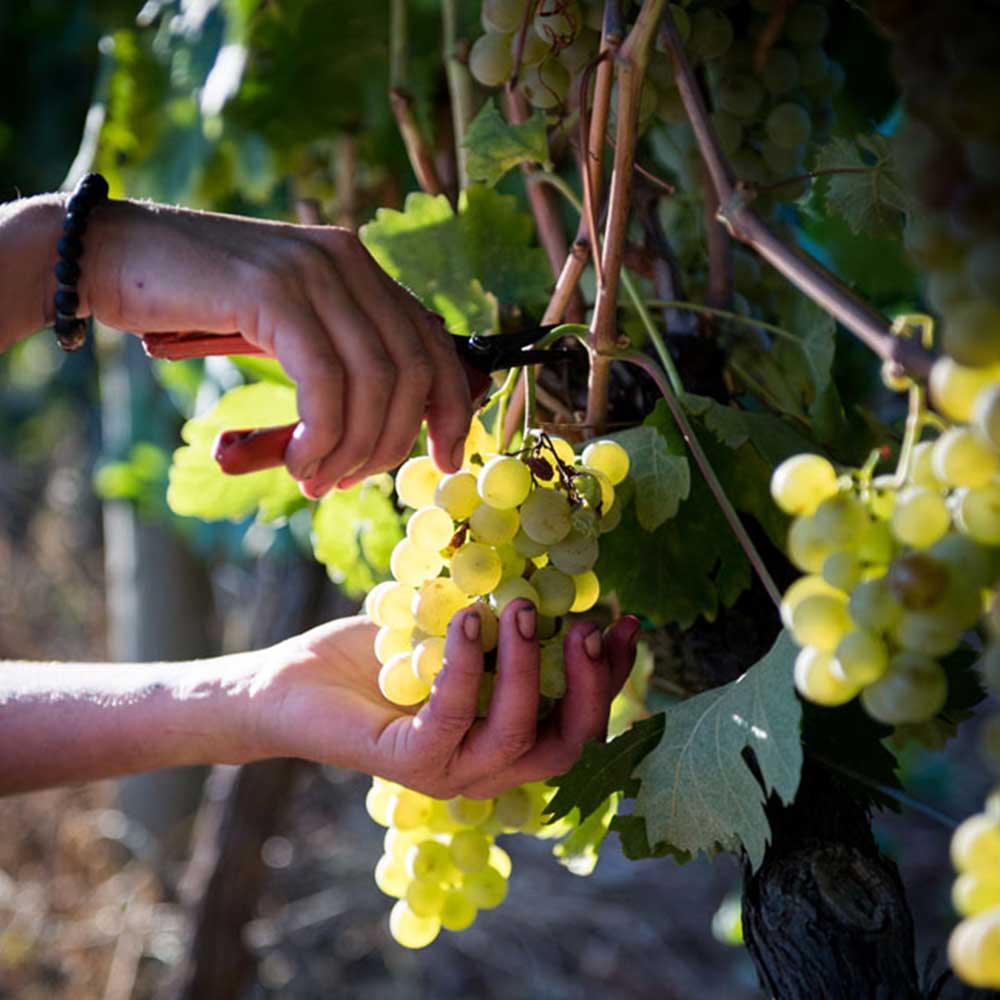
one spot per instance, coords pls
(814, 281)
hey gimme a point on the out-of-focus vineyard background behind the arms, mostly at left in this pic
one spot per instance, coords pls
(113, 890)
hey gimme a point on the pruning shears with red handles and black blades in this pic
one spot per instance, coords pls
(242, 451)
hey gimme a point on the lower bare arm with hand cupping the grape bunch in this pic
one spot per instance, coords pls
(314, 696)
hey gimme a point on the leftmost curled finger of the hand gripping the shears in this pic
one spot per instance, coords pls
(300, 343)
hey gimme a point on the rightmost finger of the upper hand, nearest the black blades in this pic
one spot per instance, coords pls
(449, 405)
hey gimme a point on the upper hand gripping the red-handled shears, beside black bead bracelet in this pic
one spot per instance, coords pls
(369, 362)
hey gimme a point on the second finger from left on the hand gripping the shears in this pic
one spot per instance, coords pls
(372, 379)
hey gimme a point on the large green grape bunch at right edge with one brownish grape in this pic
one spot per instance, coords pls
(896, 571)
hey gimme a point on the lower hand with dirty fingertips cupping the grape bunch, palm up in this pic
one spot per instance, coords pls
(322, 701)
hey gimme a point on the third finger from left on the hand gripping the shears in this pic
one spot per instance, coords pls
(404, 345)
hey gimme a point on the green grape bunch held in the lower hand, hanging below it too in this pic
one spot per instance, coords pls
(504, 527)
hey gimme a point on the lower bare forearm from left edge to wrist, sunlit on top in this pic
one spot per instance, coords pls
(65, 723)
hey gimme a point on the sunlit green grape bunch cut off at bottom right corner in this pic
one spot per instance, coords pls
(974, 947)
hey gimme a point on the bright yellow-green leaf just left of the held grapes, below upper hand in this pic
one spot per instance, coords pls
(354, 533)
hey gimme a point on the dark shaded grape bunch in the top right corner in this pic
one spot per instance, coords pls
(944, 56)
